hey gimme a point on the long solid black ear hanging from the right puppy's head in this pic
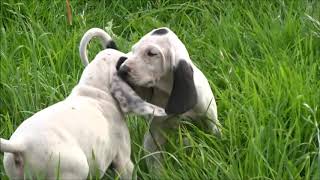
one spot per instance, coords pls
(183, 95)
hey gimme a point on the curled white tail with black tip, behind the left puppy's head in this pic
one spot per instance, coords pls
(107, 42)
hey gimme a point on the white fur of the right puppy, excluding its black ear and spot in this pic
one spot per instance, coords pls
(157, 71)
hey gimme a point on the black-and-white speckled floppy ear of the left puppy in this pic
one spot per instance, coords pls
(129, 101)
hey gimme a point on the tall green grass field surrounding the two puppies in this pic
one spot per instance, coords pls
(262, 60)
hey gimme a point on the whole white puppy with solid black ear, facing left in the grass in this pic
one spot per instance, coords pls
(160, 60)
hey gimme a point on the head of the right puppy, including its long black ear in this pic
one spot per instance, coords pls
(160, 56)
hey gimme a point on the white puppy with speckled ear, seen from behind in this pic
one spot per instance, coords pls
(81, 135)
